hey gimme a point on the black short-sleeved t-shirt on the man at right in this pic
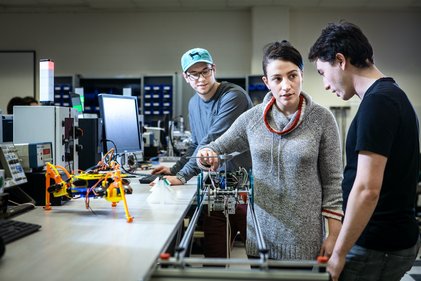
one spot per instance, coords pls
(386, 124)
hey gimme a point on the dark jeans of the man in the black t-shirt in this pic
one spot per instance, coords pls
(363, 264)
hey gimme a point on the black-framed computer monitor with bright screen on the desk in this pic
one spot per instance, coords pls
(120, 118)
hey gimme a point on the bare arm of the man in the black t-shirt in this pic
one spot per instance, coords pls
(361, 204)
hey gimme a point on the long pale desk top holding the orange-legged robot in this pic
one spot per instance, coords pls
(76, 244)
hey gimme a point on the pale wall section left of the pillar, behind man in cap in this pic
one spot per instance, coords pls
(129, 45)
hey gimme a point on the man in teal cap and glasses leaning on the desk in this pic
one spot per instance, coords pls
(212, 110)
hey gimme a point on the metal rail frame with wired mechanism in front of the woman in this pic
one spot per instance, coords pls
(182, 267)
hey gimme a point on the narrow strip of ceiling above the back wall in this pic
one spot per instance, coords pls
(162, 5)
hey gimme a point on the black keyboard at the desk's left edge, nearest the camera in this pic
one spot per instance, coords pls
(11, 230)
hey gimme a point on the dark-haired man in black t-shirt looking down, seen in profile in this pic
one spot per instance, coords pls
(379, 239)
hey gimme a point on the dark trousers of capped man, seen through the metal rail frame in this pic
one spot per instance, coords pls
(214, 227)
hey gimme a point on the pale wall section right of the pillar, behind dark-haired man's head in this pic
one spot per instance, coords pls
(394, 36)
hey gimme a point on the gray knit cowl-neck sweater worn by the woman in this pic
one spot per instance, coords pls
(297, 177)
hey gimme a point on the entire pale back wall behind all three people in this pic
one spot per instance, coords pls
(131, 44)
